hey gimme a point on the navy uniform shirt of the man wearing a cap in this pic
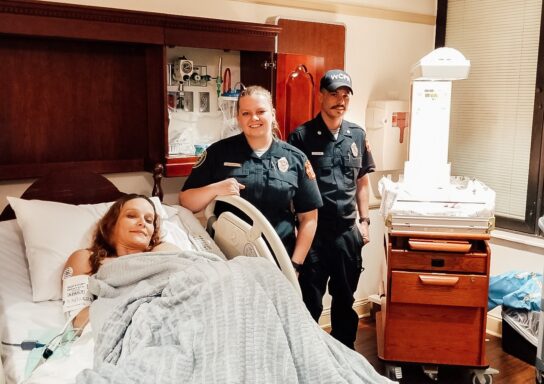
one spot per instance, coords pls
(338, 163)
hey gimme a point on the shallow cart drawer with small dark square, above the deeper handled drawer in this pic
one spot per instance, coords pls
(438, 261)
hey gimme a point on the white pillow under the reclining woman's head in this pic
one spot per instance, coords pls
(52, 232)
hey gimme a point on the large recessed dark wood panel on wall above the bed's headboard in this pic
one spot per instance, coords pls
(75, 101)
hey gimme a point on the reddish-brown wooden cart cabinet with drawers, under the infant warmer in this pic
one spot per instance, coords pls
(436, 301)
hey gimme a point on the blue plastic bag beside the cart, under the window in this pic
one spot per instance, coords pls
(515, 289)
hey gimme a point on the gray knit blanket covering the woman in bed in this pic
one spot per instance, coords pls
(191, 318)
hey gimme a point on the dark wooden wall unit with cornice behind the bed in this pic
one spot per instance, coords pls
(87, 85)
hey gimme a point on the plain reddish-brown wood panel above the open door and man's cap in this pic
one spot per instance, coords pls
(317, 39)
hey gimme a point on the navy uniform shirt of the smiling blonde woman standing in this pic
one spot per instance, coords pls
(281, 175)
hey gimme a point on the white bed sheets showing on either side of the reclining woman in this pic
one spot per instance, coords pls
(20, 317)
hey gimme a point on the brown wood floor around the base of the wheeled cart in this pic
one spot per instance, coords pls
(511, 369)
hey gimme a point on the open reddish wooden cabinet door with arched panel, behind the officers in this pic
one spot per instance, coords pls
(297, 87)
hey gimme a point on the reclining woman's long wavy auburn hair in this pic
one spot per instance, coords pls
(103, 243)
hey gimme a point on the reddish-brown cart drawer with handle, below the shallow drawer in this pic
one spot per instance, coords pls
(439, 289)
